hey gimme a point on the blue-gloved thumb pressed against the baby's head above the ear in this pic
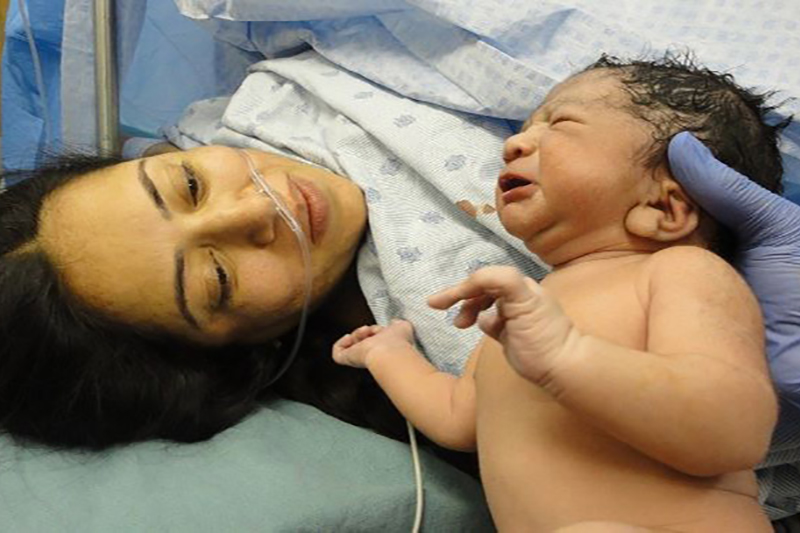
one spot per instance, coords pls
(753, 212)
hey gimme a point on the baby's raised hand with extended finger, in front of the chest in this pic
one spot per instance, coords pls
(529, 323)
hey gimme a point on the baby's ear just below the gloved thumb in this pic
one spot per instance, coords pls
(665, 212)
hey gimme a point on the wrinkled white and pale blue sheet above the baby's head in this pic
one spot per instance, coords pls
(500, 57)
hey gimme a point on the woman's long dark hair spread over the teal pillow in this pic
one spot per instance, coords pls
(71, 377)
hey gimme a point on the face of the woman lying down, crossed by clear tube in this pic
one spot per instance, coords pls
(184, 242)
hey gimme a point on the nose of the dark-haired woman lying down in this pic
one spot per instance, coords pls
(251, 218)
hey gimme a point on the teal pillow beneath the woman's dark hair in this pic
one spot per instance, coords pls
(289, 467)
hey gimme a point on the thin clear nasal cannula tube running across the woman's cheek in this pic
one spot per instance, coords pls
(302, 241)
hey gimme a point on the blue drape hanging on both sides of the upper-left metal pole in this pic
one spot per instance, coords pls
(166, 60)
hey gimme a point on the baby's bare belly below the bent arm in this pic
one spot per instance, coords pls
(544, 468)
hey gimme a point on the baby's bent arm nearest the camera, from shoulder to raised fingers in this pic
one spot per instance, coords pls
(698, 399)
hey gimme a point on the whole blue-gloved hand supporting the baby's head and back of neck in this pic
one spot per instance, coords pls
(768, 230)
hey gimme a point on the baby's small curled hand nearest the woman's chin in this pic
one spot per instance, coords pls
(355, 348)
